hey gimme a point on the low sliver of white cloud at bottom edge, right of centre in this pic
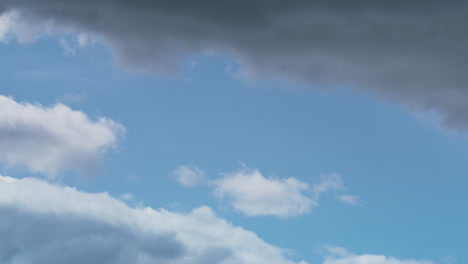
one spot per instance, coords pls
(337, 255)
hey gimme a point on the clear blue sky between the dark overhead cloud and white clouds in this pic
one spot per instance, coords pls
(411, 176)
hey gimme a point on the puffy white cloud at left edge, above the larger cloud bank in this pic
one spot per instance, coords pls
(53, 140)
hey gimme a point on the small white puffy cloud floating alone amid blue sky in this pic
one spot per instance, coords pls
(252, 194)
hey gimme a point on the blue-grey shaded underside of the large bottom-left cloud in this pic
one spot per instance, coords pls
(46, 238)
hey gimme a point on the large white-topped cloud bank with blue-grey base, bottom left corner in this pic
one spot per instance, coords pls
(45, 223)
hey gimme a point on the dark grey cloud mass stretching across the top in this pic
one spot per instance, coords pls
(410, 52)
